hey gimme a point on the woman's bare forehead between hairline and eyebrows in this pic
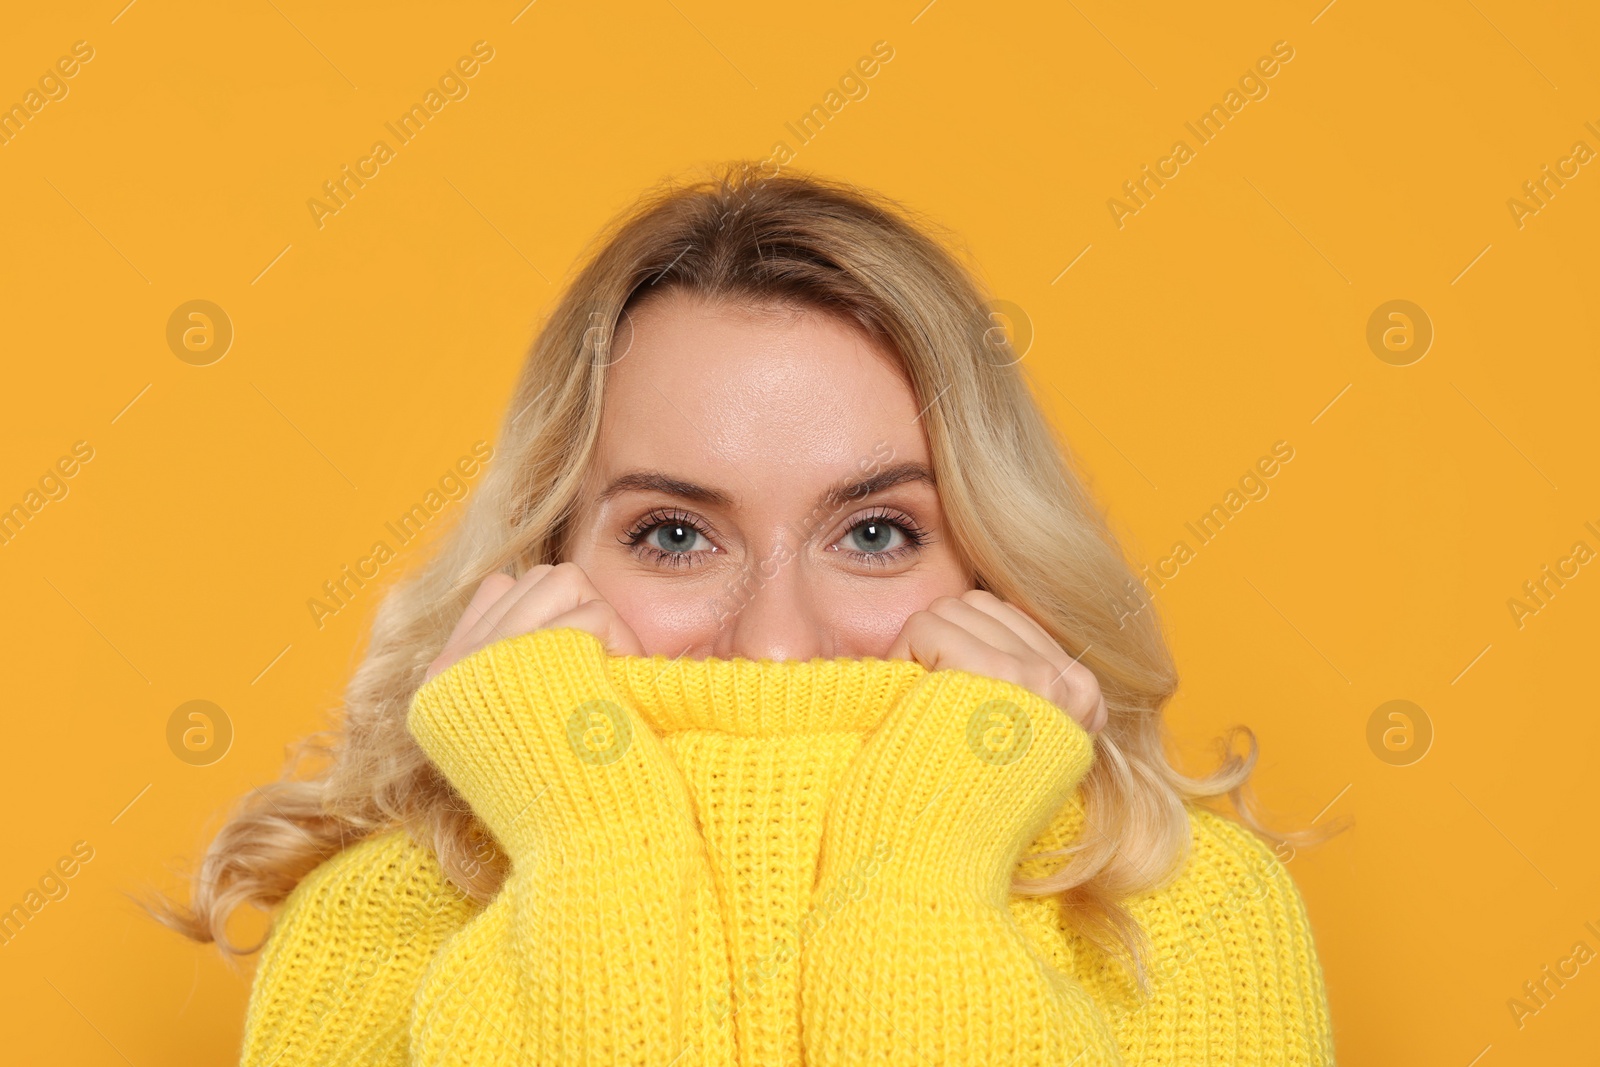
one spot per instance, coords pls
(734, 396)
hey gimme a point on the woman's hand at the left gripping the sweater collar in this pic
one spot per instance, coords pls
(546, 597)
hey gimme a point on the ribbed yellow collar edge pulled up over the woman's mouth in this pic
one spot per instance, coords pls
(764, 698)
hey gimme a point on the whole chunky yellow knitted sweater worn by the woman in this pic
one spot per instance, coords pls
(769, 863)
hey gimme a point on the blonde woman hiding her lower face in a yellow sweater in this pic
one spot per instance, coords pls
(780, 700)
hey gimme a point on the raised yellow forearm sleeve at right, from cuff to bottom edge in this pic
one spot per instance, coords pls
(911, 953)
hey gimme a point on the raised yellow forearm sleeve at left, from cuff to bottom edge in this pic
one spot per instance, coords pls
(606, 945)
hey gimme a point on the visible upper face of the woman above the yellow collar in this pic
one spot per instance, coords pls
(706, 519)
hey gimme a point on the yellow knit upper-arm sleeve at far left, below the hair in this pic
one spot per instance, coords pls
(345, 954)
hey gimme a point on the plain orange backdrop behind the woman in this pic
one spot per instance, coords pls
(1228, 314)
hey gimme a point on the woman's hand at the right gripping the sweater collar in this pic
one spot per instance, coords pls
(986, 636)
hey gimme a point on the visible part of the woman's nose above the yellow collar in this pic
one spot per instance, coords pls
(772, 612)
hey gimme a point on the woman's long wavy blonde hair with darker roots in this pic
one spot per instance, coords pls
(1017, 511)
